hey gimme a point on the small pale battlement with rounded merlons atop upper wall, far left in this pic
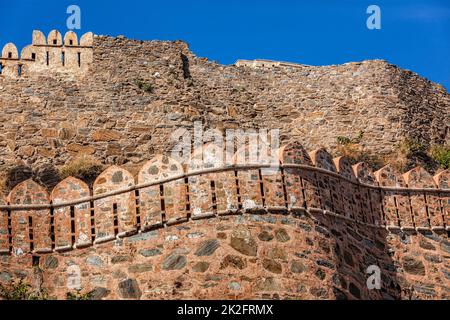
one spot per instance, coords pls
(48, 54)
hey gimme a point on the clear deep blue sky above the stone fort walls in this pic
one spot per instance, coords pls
(415, 34)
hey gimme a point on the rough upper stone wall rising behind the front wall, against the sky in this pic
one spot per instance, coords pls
(51, 114)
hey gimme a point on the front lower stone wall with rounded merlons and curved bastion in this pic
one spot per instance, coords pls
(307, 231)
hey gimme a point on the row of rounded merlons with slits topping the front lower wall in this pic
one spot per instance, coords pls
(165, 192)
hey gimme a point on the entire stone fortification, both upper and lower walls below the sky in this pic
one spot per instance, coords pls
(159, 230)
